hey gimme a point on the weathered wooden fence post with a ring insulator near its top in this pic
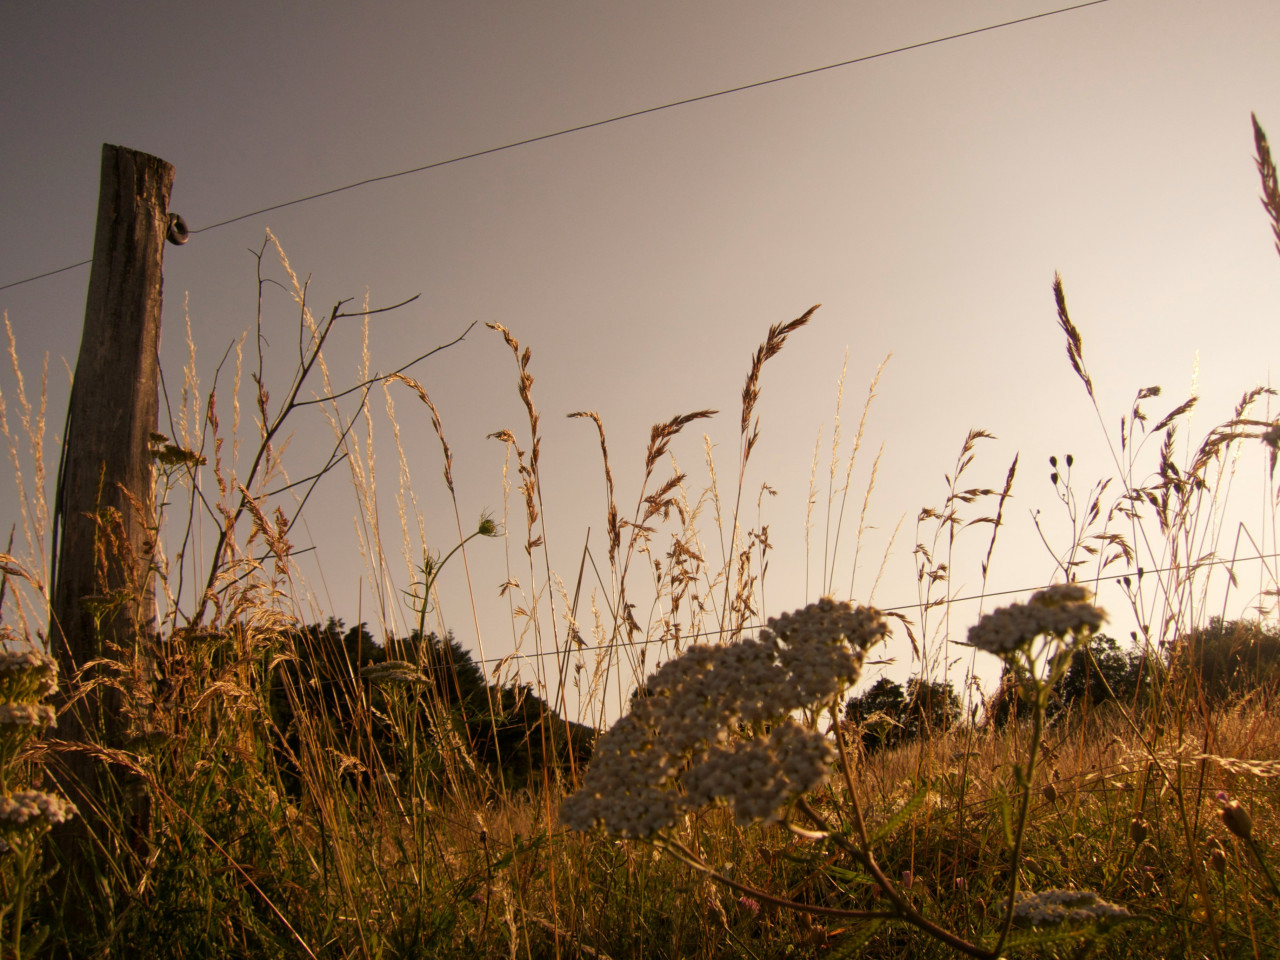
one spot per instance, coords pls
(104, 538)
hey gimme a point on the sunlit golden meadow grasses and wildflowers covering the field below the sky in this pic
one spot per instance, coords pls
(285, 787)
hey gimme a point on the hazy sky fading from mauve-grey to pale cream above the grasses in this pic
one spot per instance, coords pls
(926, 199)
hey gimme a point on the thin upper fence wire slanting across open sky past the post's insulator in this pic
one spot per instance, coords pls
(595, 125)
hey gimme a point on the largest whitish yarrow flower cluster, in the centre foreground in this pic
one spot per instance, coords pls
(680, 729)
